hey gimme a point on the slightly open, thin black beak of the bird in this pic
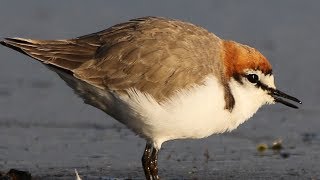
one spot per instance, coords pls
(276, 94)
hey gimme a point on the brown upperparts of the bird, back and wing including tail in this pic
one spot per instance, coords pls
(154, 55)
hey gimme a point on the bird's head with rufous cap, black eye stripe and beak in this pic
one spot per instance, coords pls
(251, 72)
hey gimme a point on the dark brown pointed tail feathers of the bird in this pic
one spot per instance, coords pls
(66, 54)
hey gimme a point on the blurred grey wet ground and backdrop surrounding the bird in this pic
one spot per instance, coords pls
(49, 131)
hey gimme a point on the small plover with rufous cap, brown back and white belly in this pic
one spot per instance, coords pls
(163, 78)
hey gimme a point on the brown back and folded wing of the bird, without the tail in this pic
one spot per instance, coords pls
(154, 55)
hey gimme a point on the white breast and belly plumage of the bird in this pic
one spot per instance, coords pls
(194, 113)
